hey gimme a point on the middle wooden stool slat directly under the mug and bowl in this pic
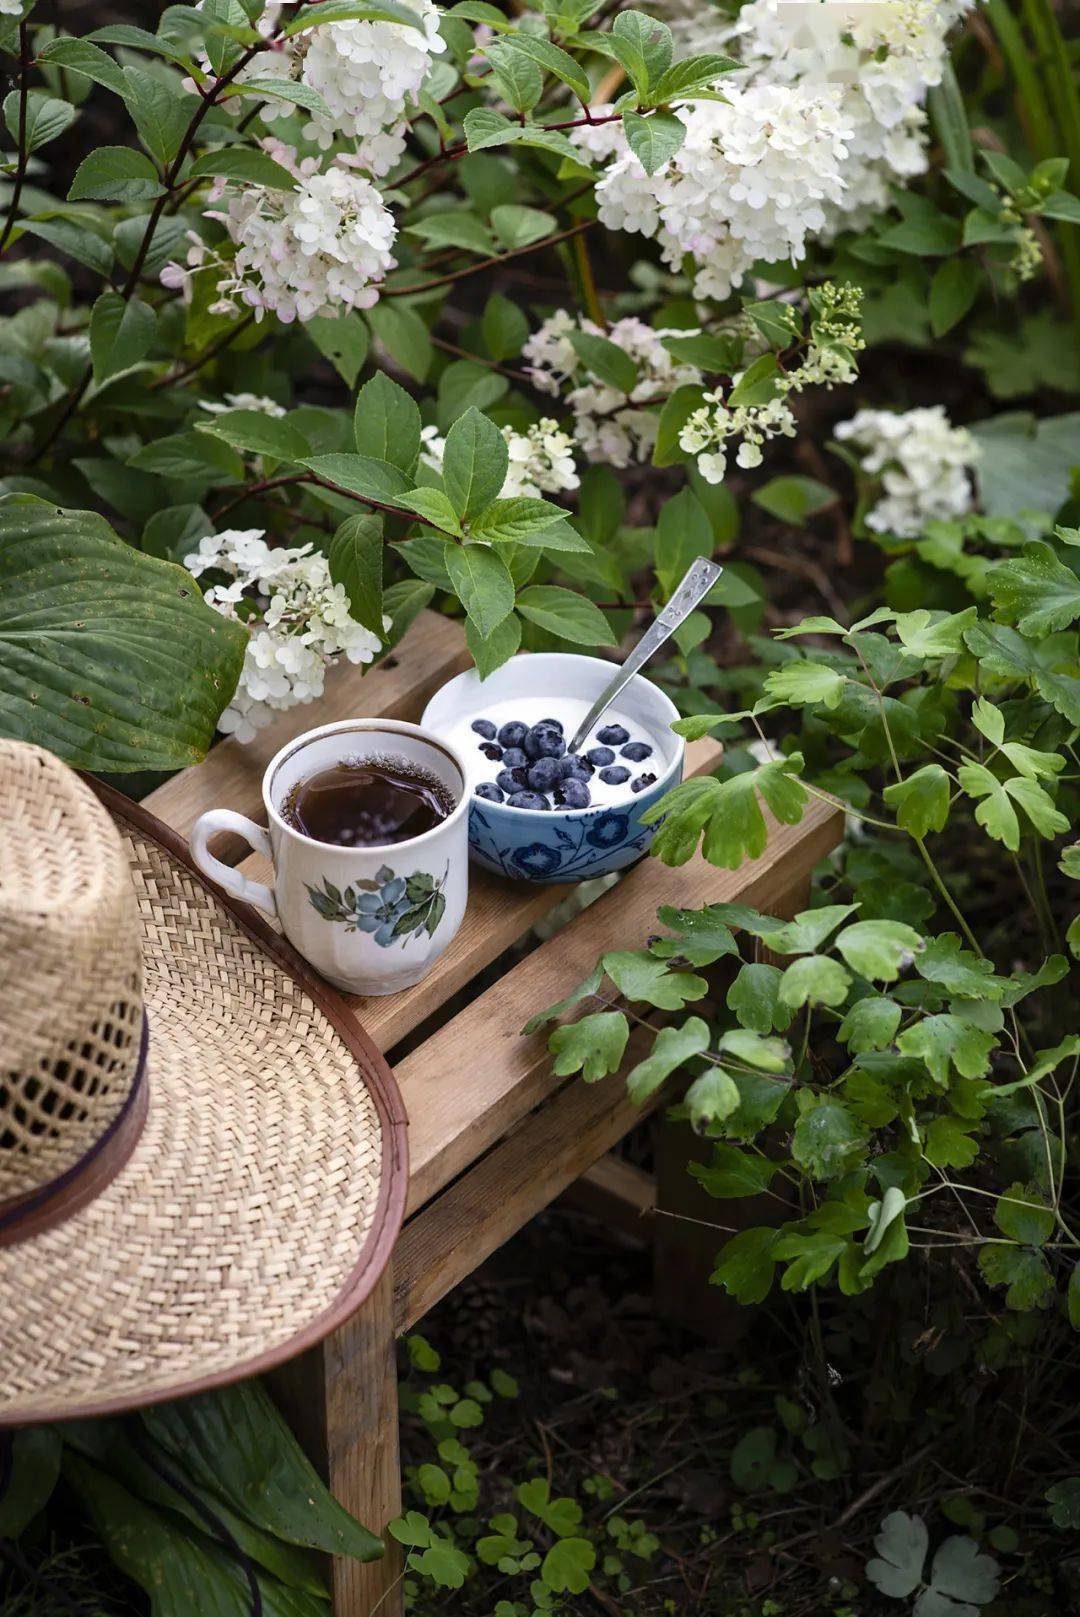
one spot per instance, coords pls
(499, 914)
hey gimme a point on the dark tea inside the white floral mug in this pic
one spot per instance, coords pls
(368, 803)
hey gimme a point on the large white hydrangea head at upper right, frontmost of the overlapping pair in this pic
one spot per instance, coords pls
(753, 180)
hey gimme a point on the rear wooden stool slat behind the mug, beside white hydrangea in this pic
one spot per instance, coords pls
(431, 654)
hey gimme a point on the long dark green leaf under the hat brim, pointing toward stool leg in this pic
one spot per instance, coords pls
(235, 1443)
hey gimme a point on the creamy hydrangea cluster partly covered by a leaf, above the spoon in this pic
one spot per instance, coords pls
(609, 426)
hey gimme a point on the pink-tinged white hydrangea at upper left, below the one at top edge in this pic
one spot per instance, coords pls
(319, 250)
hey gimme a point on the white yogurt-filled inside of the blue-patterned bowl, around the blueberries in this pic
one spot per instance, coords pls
(555, 675)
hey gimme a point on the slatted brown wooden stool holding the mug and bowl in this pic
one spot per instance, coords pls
(494, 1136)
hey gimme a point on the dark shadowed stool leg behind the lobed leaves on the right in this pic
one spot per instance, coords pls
(685, 1246)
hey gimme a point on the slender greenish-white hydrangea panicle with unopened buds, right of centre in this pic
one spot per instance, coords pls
(829, 361)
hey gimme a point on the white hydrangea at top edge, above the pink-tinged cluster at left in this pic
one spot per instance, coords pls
(369, 75)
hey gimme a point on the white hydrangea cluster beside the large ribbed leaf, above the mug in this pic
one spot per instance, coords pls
(300, 623)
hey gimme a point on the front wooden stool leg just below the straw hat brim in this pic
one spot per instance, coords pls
(342, 1401)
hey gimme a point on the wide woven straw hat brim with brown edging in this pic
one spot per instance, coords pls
(264, 1194)
